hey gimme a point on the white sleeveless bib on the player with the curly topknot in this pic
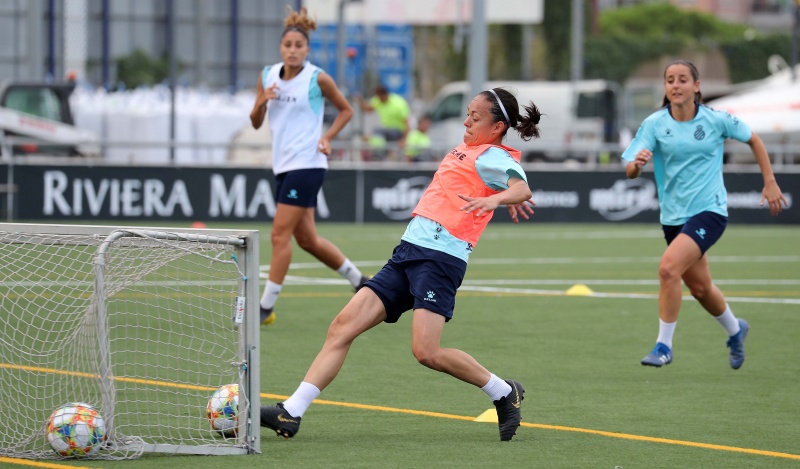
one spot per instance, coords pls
(295, 119)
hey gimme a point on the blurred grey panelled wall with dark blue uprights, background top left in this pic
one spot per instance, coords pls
(219, 43)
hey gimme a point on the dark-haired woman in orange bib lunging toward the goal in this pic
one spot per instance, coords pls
(428, 265)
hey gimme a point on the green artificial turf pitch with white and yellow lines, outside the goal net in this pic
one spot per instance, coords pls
(589, 403)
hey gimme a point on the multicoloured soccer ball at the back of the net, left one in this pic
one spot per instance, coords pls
(76, 430)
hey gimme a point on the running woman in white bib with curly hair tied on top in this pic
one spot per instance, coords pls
(292, 93)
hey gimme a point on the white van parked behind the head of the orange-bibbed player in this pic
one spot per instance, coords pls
(576, 116)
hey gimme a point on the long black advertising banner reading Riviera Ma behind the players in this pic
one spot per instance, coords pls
(209, 194)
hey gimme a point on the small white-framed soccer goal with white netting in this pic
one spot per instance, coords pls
(143, 324)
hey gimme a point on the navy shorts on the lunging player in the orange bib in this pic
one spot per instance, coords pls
(417, 277)
